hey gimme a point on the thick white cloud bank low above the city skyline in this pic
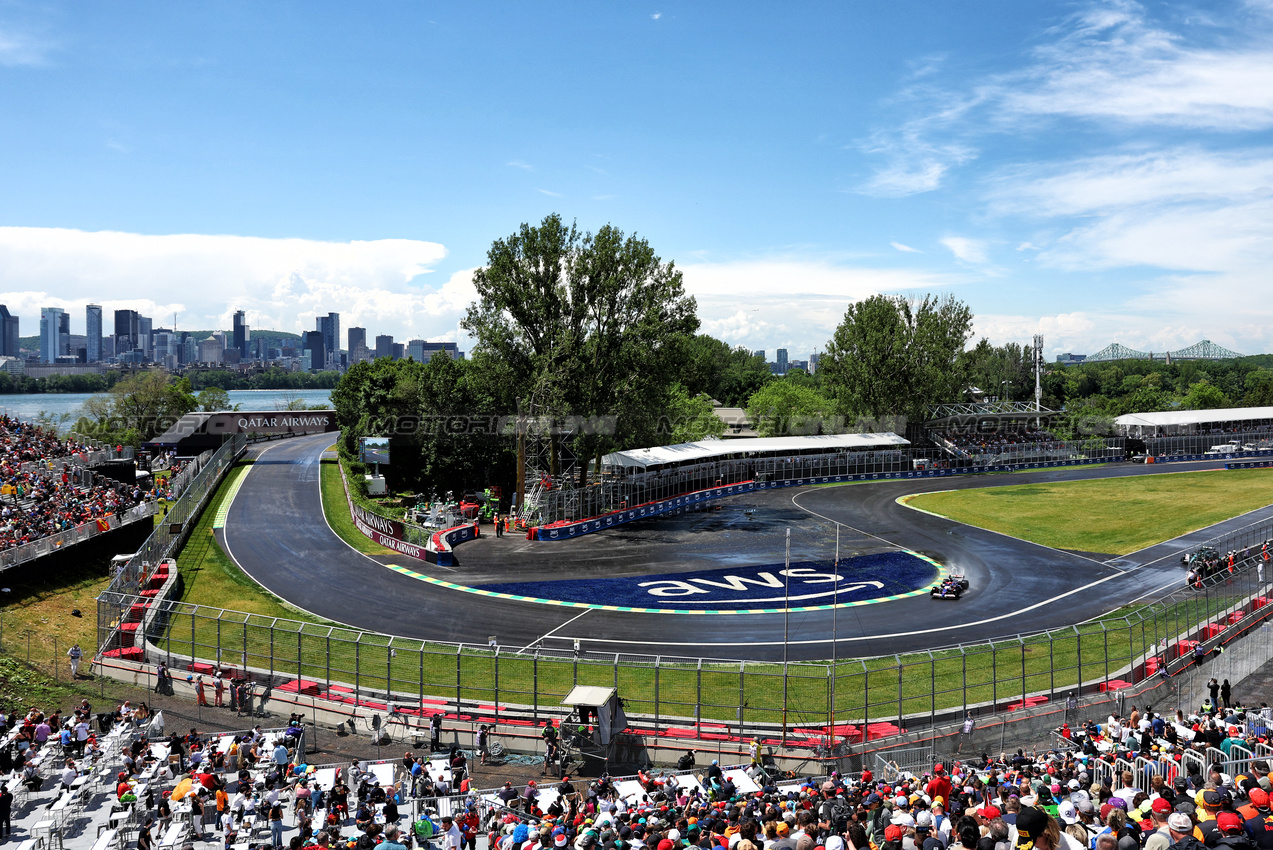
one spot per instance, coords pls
(282, 284)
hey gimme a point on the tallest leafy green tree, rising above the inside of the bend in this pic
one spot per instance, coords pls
(584, 324)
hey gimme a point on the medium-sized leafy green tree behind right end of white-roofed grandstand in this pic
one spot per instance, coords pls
(896, 357)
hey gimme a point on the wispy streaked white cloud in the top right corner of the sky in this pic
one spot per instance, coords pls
(1109, 67)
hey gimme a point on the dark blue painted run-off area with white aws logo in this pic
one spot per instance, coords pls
(864, 578)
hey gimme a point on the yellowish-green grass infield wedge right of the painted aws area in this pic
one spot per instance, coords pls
(1111, 516)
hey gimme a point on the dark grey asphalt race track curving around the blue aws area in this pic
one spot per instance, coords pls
(276, 531)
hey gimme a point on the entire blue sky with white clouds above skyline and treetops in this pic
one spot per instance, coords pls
(1089, 171)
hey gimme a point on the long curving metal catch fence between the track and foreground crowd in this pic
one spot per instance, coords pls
(855, 699)
